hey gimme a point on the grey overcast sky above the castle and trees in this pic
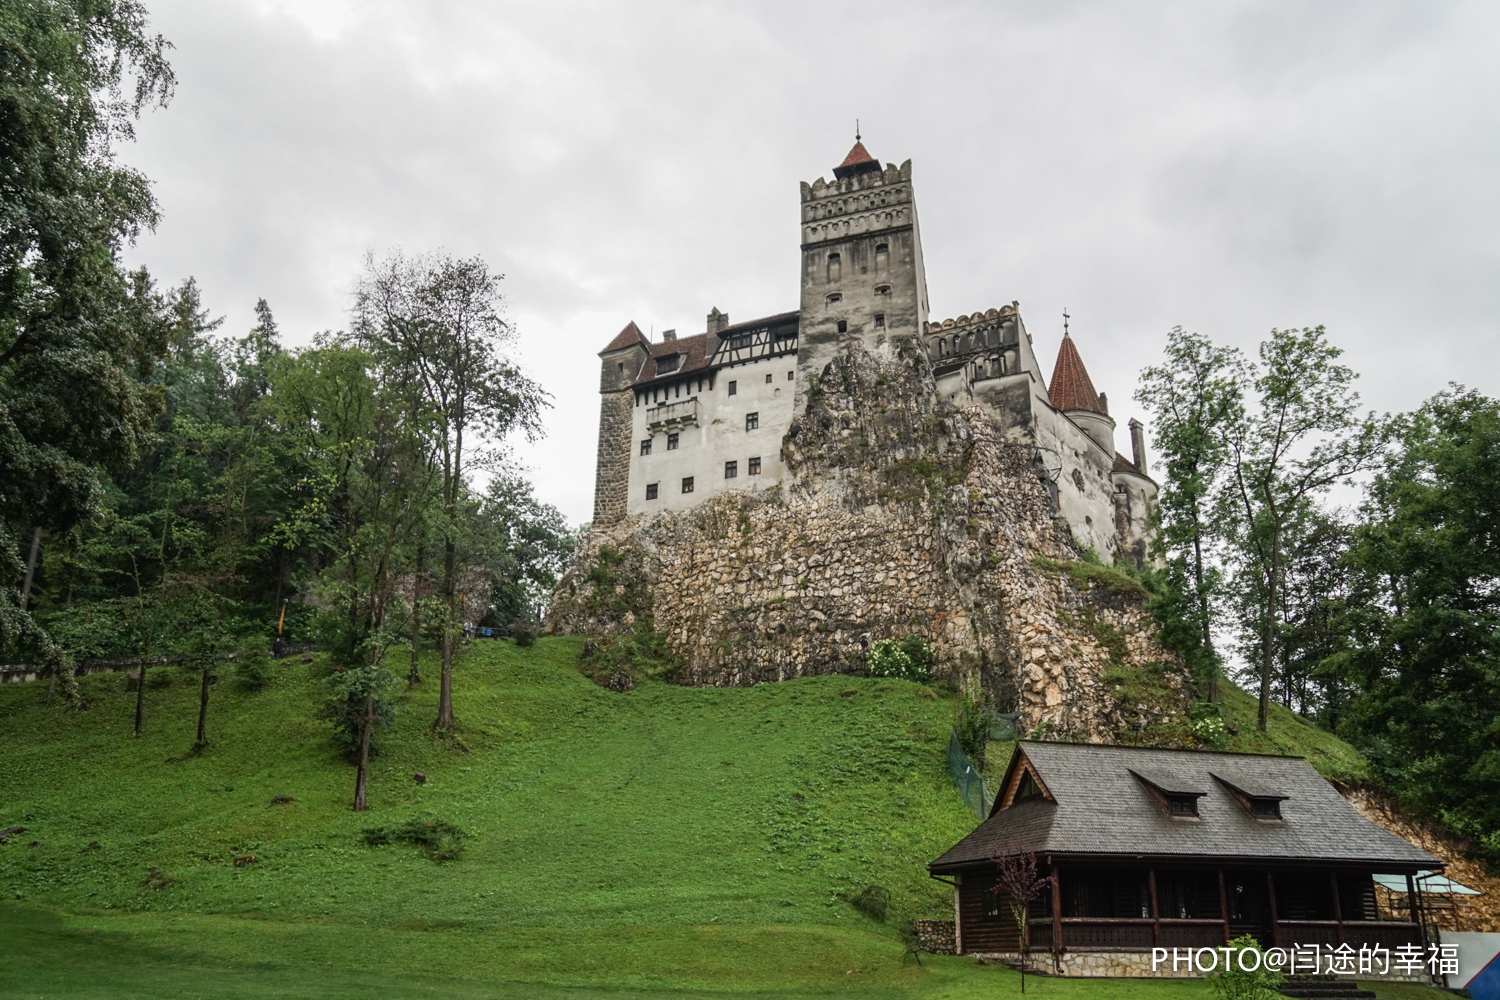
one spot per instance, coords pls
(1228, 167)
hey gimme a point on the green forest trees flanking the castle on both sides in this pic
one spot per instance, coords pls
(172, 490)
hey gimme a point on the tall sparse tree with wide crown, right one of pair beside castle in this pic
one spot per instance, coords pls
(1303, 439)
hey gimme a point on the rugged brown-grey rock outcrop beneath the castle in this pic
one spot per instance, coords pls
(899, 516)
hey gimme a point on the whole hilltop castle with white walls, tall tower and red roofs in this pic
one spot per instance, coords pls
(691, 418)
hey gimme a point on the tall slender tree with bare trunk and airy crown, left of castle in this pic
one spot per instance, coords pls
(436, 328)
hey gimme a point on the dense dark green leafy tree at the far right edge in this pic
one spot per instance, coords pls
(1429, 716)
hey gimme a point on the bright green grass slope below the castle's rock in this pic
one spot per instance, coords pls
(665, 842)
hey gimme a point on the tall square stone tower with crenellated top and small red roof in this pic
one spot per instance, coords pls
(863, 278)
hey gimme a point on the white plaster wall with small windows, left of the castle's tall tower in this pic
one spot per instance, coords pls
(719, 437)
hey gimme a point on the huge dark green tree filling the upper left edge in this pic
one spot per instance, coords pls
(79, 335)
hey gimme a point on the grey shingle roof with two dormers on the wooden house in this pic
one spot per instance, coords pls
(1103, 809)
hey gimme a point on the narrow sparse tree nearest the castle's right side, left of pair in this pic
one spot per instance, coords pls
(1195, 397)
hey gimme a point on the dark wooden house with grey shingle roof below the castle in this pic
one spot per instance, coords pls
(1175, 849)
